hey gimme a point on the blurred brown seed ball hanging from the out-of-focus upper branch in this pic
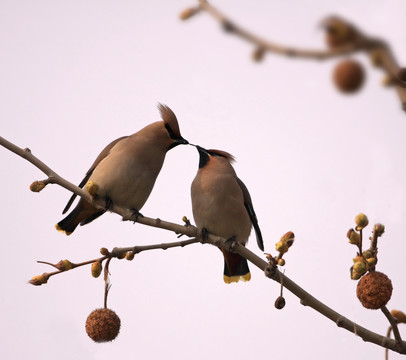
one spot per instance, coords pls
(349, 76)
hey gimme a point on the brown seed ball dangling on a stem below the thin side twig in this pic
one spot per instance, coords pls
(103, 325)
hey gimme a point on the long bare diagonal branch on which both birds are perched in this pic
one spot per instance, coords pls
(191, 231)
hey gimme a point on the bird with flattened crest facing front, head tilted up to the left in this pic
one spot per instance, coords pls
(222, 206)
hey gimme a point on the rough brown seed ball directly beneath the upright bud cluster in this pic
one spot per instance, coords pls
(374, 290)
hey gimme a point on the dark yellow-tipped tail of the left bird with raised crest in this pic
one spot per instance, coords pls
(82, 214)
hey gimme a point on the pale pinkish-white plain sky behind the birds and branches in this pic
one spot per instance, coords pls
(77, 74)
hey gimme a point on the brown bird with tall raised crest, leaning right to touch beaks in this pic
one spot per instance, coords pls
(125, 171)
